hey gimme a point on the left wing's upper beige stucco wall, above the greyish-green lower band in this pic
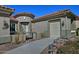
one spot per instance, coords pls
(4, 32)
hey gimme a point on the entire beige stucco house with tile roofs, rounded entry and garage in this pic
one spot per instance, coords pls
(21, 26)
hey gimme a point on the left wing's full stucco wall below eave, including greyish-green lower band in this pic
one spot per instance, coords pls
(4, 33)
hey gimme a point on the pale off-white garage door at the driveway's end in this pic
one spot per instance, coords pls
(55, 29)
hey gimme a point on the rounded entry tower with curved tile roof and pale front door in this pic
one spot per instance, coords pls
(24, 24)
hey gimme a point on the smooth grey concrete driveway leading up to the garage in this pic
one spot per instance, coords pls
(35, 47)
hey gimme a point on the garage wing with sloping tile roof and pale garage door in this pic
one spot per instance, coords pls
(55, 25)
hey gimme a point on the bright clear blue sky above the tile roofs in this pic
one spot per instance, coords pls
(40, 10)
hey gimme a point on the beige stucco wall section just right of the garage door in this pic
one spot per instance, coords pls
(66, 29)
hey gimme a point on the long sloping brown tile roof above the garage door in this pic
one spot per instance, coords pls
(53, 15)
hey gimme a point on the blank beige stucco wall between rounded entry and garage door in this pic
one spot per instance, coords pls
(40, 26)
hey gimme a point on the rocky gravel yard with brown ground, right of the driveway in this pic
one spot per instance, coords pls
(63, 46)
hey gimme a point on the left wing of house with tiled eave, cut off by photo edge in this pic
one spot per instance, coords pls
(5, 14)
